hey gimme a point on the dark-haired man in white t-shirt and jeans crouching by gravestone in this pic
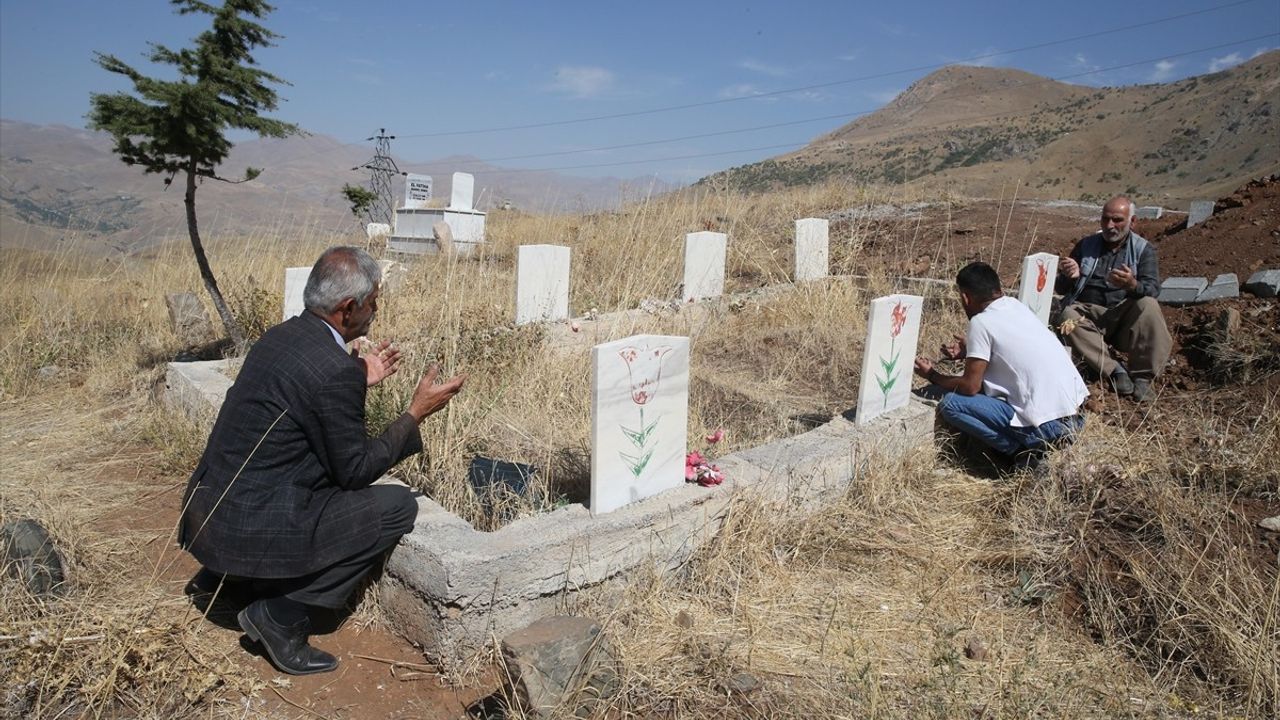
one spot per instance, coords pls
(1020, 393)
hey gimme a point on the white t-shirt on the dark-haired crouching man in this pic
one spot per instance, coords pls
(1027, 366)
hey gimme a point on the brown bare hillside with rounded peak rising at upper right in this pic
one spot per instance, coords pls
(986, 129)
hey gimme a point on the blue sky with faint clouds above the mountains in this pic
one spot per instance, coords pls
(422, 70)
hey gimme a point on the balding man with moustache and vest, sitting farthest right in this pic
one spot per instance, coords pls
(1110, 284)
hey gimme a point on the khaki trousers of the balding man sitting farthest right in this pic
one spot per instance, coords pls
(1136, 327)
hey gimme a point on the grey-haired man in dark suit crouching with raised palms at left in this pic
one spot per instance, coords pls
(282, 499)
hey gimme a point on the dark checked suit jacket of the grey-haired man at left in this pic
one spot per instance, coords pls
(277, 493)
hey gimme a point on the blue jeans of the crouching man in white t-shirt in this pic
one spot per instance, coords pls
(988, 420)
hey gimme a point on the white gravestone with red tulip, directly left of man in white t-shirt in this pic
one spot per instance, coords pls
(889, 357)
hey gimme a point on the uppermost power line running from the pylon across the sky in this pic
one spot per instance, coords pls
(819, 86)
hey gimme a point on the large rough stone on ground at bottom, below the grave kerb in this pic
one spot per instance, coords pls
(560, 667)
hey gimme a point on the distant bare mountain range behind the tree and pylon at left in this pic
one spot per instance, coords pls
(62, 185)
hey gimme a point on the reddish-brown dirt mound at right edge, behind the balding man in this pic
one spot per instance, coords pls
(1242, 236)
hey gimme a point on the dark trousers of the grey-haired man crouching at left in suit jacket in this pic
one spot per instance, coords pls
(332, 586)
